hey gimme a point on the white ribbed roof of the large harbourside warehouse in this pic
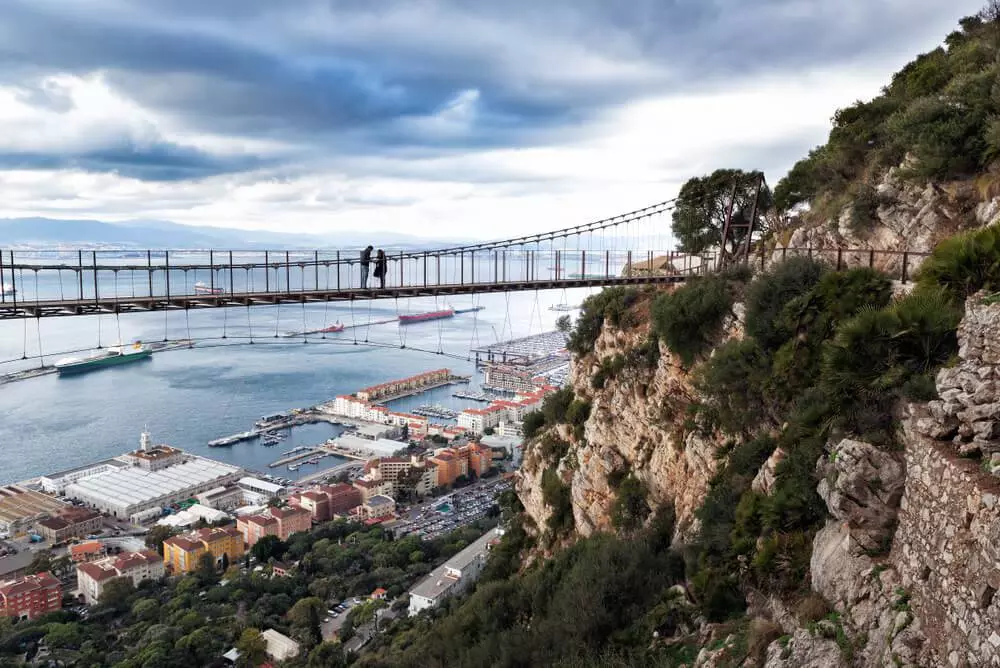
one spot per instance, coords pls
(133, 486)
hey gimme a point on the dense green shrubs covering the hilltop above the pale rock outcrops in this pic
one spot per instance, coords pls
(941, 109)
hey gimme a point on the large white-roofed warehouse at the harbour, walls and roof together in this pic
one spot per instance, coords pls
(128, 492)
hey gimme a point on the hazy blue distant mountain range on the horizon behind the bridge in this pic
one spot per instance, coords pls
(141, 234)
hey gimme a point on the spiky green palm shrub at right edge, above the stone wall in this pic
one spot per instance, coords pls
(964, 264)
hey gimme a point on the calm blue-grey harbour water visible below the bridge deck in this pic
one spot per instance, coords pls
(221, 386)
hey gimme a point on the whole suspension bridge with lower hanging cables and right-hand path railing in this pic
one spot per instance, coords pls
(628, 249)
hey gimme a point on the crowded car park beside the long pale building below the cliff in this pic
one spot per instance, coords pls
(442, 515)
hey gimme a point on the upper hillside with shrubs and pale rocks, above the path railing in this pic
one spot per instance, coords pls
(912, 166)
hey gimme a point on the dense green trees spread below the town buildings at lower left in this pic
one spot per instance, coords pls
(193, 620)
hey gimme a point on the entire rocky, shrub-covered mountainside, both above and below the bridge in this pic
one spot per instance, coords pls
(787, 407)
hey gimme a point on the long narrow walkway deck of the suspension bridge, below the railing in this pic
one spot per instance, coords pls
(109, 304)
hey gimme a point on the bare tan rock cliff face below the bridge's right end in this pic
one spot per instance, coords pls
(636, 425)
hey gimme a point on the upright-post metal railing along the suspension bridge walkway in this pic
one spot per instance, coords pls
(111, 276)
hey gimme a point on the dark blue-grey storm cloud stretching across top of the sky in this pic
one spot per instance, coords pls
(339, 77)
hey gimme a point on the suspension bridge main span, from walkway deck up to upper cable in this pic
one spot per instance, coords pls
(623, 250)
